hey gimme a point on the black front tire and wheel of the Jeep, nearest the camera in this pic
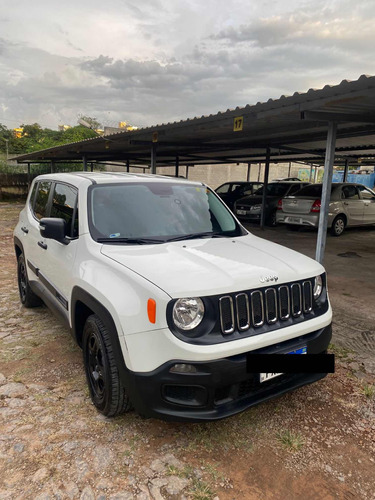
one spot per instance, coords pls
(106, 389)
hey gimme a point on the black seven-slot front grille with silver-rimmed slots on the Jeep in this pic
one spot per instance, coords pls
(266, 306)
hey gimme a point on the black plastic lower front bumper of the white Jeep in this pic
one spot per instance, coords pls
(219, 388)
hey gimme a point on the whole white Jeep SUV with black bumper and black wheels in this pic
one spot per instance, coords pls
(172, 301)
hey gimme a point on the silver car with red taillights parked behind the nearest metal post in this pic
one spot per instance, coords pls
(350, 205)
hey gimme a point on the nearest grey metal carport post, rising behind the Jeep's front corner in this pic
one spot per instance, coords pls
(326, 191)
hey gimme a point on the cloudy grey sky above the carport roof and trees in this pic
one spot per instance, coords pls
(154, 61)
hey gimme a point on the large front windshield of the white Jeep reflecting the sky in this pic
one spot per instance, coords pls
(157, 211)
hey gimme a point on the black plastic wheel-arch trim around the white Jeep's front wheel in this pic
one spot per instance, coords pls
(92, 305)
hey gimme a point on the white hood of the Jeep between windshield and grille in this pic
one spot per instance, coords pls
(213, 266)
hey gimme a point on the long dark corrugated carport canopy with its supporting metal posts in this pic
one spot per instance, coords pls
(332, 125)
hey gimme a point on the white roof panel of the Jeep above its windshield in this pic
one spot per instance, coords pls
(113, 177)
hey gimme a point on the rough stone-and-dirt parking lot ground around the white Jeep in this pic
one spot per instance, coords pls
(318, 442)
